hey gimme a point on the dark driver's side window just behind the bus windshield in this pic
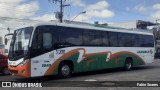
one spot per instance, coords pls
(42, 41)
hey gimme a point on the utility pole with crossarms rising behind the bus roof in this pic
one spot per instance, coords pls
(59, 15)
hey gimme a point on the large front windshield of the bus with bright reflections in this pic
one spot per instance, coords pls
(19, 43)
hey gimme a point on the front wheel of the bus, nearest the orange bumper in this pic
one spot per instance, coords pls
(64, 70)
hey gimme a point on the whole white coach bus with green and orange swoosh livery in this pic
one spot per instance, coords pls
(62, 49)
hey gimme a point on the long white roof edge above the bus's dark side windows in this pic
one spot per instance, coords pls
(93, 26)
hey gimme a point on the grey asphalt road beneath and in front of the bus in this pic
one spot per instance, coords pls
(149, 72)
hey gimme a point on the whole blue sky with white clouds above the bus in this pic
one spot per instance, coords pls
(104, 11)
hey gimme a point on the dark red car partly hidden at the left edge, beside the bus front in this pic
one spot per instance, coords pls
(4, 64)
